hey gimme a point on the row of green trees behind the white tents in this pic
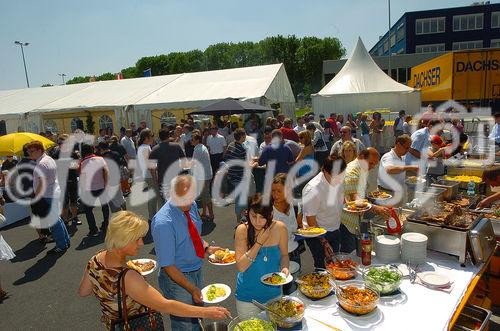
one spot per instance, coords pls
(302, 57)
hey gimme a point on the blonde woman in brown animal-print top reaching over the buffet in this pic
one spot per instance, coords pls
(104, 270)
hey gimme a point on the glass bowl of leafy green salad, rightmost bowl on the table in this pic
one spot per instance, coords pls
(384, 278)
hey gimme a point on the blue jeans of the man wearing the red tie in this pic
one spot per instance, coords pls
(172, 290)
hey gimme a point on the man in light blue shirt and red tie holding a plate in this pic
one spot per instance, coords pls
(180, 249)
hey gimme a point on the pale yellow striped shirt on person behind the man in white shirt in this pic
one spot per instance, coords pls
(355, 181)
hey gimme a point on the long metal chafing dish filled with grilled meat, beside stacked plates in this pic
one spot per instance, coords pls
(472, 235)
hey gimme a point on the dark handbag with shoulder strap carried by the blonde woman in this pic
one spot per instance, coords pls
(148, 321)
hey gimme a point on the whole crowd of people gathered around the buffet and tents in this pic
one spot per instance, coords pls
(332, 165)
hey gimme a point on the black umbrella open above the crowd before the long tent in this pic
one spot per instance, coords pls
(231, 106)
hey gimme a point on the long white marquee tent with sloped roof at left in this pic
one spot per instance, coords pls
(134, 99)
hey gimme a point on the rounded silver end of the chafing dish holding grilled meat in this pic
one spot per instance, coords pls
(482, 240)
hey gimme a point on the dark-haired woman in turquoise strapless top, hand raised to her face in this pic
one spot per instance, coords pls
(261, 247)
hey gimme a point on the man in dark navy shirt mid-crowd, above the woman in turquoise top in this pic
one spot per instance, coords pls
(277, 151)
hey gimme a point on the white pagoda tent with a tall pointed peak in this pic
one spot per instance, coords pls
(361, 85)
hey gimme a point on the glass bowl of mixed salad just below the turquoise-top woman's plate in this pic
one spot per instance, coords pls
(289, 311)
